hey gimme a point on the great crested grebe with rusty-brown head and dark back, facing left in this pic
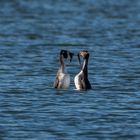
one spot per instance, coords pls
(81, 79)
